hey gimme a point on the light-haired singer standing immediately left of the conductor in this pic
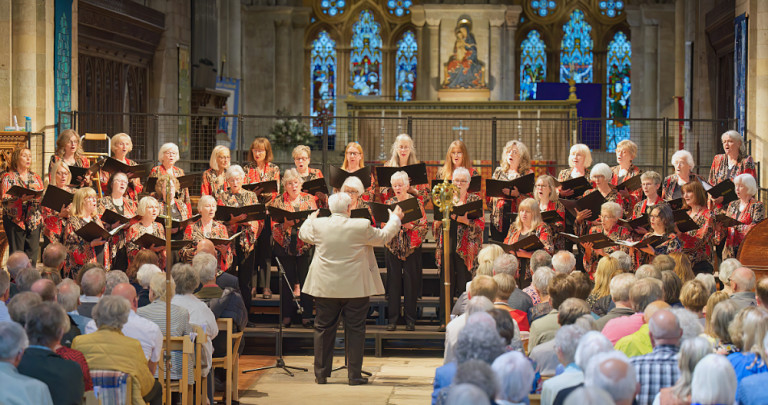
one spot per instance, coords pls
(292, 251)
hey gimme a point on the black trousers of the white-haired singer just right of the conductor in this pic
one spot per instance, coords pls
(403, 278)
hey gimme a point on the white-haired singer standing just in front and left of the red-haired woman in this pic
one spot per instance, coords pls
(244, 256)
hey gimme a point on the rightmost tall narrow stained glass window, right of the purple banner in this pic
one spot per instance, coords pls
(619, 63)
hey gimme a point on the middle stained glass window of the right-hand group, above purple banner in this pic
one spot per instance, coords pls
(576, 50)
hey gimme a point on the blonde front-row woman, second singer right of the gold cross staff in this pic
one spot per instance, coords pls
(528, 222)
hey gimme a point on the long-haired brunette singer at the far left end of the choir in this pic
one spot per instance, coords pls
(22, 217)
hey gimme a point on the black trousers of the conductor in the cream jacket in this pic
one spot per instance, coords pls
(329, 310)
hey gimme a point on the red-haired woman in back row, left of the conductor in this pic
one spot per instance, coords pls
(259, 169)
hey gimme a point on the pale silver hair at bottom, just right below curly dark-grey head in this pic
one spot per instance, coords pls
(515, 376)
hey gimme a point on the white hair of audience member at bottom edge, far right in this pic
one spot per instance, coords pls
(714, 381)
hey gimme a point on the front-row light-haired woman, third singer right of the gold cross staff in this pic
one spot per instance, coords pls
(610, 213)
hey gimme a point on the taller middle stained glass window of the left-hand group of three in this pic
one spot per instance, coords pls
(365, 59)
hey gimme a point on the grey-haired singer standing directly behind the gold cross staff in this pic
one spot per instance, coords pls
(466, 238)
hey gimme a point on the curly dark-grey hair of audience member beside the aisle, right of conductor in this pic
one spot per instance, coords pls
(481, 342)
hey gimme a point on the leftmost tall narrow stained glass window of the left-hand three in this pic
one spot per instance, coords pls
(323, 70)
